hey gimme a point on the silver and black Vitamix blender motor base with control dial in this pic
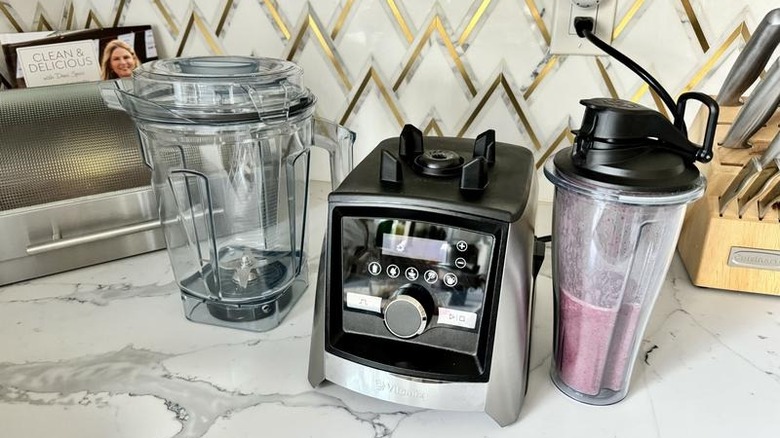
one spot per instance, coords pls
(425, 290)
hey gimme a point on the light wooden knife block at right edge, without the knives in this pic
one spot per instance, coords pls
(708, 237)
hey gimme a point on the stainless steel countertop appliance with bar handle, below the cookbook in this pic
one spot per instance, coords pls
(74, 190)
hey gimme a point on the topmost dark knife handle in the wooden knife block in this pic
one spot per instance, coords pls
(752, 59)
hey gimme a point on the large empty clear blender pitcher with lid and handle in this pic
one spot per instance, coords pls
(228, 141)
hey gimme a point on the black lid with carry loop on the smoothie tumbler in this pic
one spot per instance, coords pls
(622, 145)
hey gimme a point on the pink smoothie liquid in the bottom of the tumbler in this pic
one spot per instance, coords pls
(586, 362)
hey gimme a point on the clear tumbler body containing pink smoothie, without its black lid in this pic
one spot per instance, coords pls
(611, 251)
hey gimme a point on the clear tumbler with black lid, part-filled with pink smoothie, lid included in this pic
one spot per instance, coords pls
(620, 198)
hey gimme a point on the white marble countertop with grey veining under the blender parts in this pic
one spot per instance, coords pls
(105, 351)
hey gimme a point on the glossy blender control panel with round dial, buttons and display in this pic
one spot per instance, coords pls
(414, 280)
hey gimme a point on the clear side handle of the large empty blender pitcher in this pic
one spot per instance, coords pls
(339, 142)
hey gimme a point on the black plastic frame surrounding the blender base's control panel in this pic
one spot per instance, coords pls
(405, 356)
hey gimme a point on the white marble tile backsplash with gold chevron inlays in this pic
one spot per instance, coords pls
(451, 67)
